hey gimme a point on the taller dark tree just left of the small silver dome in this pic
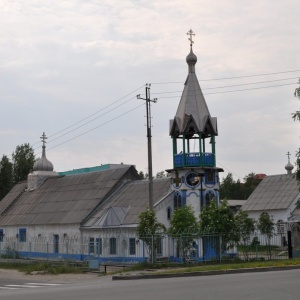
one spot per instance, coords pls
(23, 160)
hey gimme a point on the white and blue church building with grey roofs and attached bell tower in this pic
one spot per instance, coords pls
(94, 211)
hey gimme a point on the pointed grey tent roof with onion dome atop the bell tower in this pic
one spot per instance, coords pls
(192, 107)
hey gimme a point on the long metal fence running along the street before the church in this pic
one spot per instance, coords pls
(177, 248)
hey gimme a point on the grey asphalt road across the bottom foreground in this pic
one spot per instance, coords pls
(264, 285)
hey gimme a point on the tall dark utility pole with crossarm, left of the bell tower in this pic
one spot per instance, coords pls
(148, 111)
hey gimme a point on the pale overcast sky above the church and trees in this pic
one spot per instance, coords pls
(82, 63)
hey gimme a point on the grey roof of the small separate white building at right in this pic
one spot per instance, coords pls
(273, 193)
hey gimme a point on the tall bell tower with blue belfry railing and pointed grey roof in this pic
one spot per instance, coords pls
(194, 176)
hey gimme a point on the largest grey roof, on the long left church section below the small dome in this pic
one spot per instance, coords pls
(62, 200)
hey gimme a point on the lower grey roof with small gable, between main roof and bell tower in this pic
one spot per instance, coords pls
(124, 207)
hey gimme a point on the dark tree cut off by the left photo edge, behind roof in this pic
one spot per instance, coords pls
(6, 176)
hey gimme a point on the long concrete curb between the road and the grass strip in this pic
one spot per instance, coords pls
(203, 273)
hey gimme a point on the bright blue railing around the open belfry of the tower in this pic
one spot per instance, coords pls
(194, 160)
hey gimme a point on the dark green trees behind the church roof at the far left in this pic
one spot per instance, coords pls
(15, 170)
